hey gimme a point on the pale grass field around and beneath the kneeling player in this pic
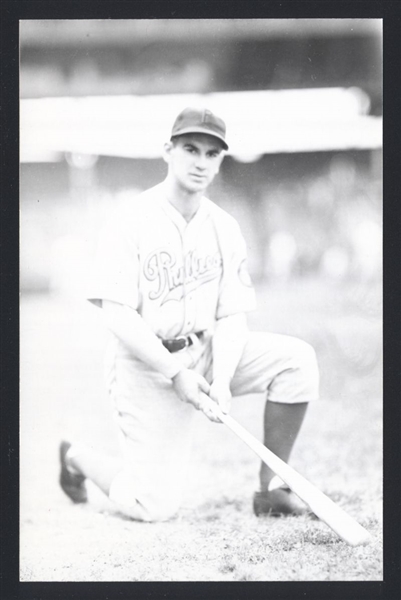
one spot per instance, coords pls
(215, 537)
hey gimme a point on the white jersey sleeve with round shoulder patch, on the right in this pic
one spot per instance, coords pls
(236, 291)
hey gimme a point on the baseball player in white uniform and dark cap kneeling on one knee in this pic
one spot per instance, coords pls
(171, 282)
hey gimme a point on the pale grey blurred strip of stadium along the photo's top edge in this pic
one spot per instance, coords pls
(108, 32)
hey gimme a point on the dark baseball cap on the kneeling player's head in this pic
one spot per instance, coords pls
(200, 120)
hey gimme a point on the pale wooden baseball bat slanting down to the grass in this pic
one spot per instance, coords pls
(325, 509)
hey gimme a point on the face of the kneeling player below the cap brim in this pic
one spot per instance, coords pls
(194, 160)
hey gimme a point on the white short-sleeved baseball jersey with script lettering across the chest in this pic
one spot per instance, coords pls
(180, 276)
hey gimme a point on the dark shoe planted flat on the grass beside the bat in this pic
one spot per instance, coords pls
(278, 502)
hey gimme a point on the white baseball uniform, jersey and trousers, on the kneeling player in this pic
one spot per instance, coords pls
(181, 278)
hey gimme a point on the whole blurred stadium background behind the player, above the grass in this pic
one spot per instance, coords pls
(303, 103)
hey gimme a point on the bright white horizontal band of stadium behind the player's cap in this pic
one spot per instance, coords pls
(263, 122)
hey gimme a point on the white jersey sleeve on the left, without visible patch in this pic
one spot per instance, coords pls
(115, 269)
